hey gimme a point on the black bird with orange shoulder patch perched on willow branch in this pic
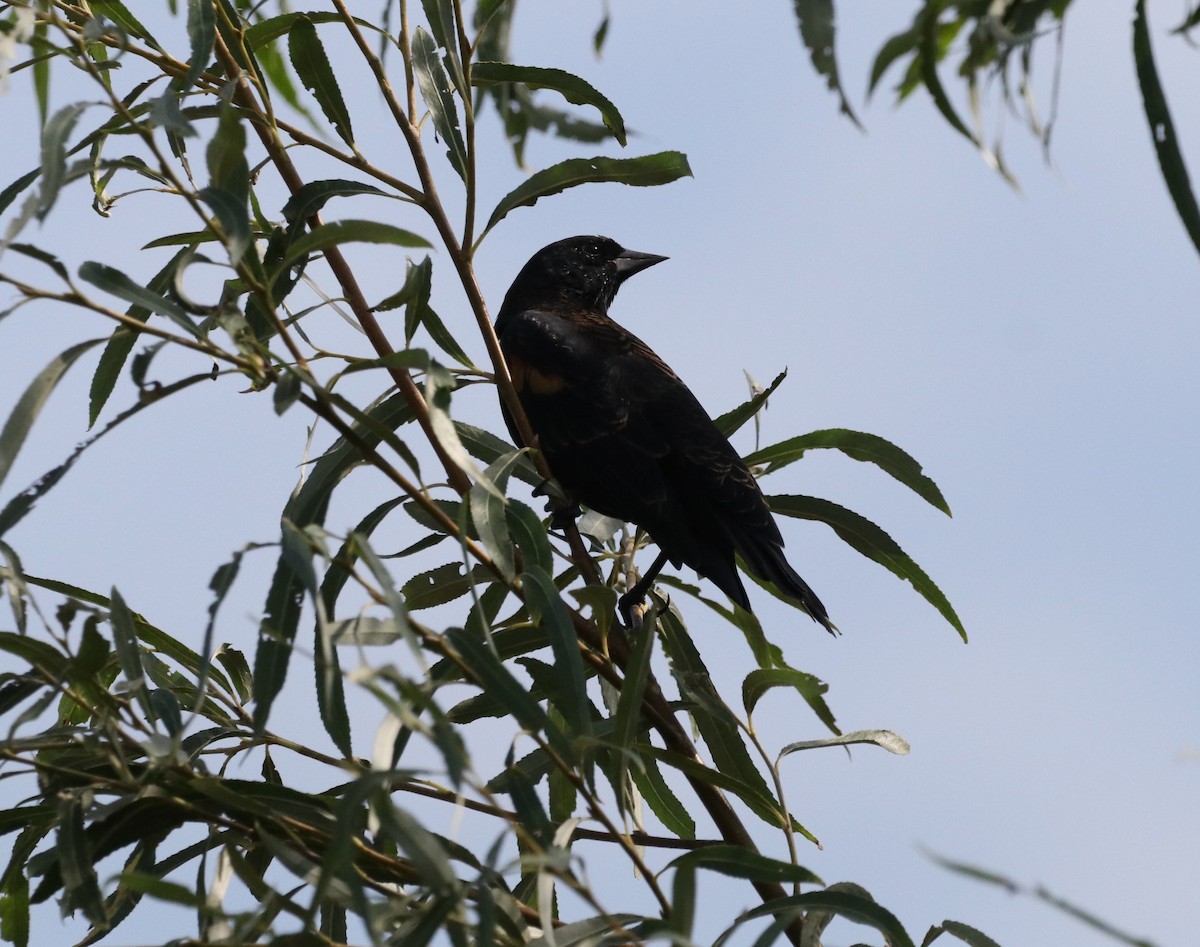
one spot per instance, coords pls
(623, 435)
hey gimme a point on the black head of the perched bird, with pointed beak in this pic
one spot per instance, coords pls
(577, 272)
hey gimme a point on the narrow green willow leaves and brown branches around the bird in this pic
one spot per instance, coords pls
(131, 741)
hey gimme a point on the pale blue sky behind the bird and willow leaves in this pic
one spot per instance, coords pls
(1035, 352)
